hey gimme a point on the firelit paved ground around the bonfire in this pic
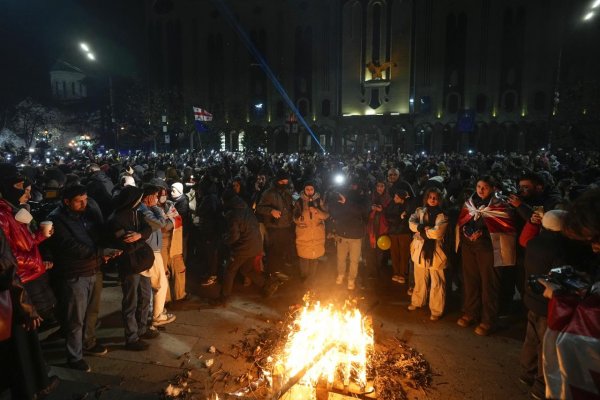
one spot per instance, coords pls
(466, 366)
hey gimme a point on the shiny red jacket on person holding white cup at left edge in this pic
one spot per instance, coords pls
(23, 243)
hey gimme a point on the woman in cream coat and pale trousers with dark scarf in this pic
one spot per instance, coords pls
(429, 224)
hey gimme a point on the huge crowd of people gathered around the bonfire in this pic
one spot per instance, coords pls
(474, 224)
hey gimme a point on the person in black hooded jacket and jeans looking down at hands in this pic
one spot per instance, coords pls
(129, 232)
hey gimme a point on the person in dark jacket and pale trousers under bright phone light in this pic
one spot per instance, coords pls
(349, 214)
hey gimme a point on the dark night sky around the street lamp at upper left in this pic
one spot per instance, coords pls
(35, 33)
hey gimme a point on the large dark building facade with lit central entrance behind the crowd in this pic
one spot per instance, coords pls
(383, 75)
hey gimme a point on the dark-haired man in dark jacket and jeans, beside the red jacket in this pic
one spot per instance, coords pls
(78, 256)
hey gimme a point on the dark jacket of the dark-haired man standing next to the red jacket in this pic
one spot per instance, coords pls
(75, 244)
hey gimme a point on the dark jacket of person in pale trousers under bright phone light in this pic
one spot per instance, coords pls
(349, 219)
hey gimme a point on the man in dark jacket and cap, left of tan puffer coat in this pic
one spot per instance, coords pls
(276, 207)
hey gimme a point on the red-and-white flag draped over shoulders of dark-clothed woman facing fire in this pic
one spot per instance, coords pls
(494, 214)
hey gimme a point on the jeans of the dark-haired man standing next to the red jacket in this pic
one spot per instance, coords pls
(78, 295)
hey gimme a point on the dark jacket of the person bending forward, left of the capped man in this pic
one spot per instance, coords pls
(243, 235)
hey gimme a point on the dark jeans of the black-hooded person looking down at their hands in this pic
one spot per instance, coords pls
(135, 305)
